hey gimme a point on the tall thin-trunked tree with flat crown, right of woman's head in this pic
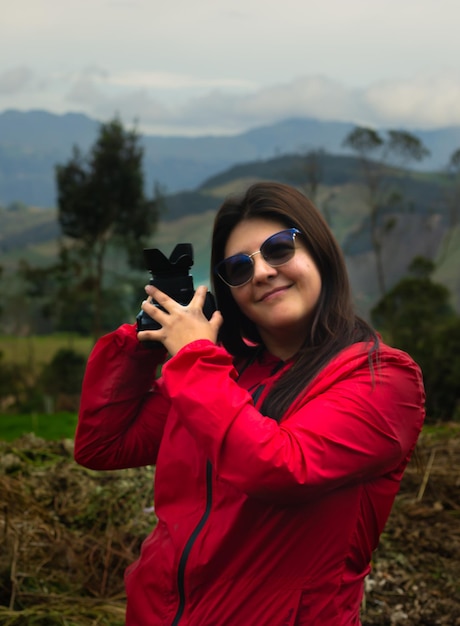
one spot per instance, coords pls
(377, 154)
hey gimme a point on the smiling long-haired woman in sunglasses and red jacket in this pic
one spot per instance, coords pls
(280, 429)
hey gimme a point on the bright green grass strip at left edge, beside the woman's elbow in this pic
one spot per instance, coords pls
(53, 427)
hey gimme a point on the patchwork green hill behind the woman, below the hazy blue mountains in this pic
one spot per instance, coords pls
(420, 221)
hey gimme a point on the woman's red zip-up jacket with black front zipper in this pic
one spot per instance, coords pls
(259, 523)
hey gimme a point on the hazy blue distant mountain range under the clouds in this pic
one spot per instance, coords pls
(33, 142)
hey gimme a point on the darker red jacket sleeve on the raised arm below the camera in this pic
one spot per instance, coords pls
(122, 410)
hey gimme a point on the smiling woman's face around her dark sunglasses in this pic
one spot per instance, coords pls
(279, 300)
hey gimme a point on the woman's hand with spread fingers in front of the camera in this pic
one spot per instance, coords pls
(180, 325)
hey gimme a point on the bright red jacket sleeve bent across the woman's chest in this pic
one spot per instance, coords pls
(352, 425)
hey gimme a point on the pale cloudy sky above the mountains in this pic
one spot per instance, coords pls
(200, 67)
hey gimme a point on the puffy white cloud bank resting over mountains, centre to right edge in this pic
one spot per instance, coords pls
(421, 103)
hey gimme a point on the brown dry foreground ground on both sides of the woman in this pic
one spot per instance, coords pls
(66, 535)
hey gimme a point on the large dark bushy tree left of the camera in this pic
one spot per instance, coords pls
(101, 203)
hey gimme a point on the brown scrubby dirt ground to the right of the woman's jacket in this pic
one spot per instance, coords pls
(416, 570)
